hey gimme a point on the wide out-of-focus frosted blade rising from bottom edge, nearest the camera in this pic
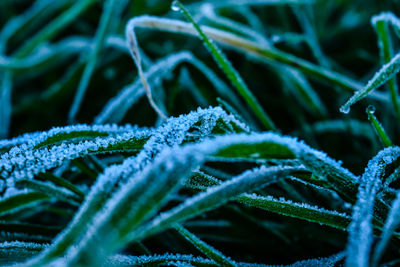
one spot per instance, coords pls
(139, 199)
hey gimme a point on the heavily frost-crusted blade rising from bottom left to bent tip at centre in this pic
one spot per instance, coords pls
(172, 133)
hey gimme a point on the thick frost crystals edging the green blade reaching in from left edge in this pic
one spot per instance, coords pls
(26, 160)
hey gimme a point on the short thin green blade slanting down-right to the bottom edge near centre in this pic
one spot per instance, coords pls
(205, 248)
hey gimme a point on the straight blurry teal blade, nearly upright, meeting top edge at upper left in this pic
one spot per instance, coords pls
(106, 17)
